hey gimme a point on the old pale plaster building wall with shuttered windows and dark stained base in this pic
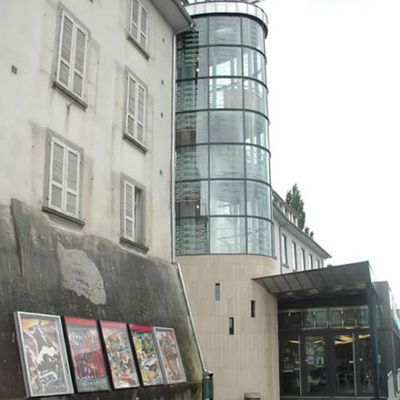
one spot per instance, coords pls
(86, 173)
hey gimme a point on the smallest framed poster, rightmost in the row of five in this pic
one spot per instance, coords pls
(170, 355)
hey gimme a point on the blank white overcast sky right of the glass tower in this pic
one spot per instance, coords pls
(334, 104)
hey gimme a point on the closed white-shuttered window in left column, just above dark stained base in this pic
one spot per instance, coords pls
(64, 178)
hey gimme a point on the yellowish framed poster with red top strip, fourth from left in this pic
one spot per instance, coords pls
(146, 354)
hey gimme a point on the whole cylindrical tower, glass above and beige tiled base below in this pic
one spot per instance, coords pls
(224, 229)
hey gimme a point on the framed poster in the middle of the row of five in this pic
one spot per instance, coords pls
(119, 355)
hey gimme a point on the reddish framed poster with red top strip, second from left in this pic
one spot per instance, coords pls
(87, 356)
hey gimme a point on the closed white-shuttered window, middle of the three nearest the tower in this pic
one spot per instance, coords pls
(135, 109)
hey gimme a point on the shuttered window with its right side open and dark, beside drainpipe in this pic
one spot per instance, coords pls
(132, 212)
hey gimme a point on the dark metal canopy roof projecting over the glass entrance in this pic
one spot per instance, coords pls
(331, 280)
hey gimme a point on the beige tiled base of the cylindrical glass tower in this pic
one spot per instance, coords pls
(248, 360)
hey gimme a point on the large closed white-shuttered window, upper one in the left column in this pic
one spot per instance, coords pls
(72, 55)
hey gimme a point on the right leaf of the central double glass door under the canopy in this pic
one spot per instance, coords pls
(344, 364)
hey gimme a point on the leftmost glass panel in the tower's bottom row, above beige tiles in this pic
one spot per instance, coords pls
(192, 235)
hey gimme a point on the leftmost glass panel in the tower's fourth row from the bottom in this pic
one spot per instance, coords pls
(192, 128)
